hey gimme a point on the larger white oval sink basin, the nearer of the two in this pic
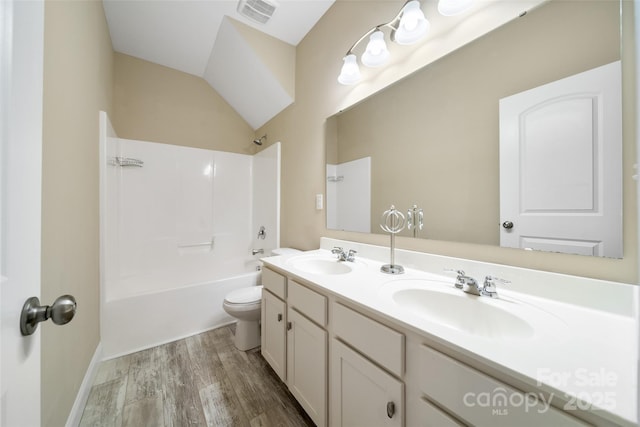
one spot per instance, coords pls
(483, 317)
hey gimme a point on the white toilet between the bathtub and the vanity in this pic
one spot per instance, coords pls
(244, 304)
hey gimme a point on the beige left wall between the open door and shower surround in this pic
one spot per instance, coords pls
(78, 74)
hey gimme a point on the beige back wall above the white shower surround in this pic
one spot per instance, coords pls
(156, 103)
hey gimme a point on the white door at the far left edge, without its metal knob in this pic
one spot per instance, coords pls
(21, 63)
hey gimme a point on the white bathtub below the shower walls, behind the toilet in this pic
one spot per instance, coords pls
(146, 320)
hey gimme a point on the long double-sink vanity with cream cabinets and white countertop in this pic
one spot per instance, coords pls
(359, 347)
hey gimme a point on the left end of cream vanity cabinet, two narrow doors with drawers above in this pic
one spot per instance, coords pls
(294, 340)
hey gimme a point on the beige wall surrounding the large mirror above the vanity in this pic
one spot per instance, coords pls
(301, 128)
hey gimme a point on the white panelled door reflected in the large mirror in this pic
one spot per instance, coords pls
(561, 165)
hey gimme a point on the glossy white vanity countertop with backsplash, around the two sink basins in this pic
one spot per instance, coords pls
(584, 354)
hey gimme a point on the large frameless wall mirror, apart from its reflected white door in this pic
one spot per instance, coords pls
(432, 140)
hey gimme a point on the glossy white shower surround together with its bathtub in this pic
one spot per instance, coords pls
(178, 226)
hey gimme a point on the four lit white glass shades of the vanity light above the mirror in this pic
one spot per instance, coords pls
(407, 27)
